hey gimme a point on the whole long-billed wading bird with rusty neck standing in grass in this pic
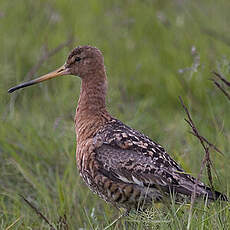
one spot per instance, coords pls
(120, 164)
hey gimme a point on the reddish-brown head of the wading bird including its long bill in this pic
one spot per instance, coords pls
(82, 62)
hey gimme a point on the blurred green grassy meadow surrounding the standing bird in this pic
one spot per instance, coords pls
(155, 51)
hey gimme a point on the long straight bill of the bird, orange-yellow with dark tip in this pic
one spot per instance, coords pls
(59, 72)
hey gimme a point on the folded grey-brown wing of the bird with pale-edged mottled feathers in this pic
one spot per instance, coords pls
(126, 155)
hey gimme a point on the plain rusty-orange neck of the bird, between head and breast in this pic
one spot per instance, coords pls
(91, 111)
